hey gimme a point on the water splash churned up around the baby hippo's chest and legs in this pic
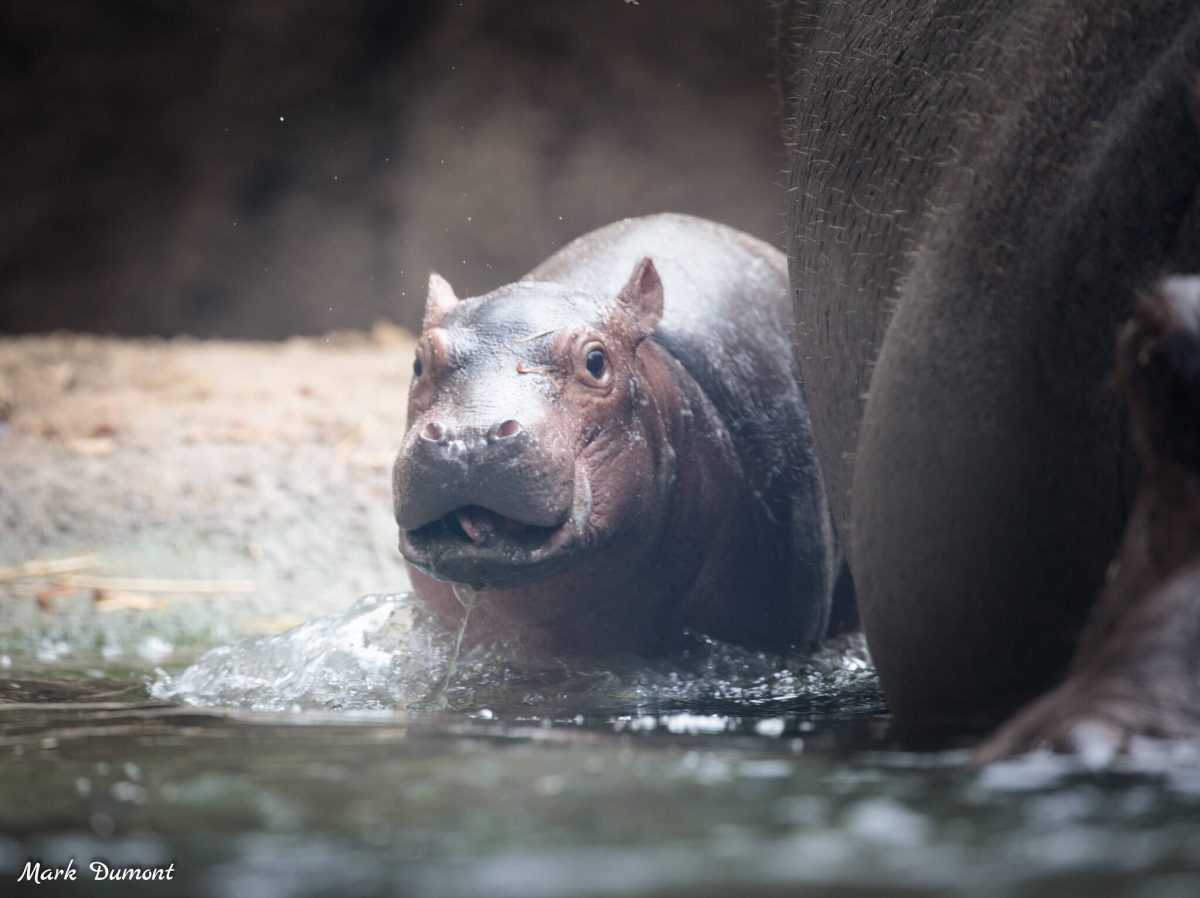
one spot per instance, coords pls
(382, 655)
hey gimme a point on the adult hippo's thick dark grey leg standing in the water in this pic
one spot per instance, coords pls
(991, 476)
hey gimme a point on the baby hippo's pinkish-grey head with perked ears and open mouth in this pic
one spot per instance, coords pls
(525, 452)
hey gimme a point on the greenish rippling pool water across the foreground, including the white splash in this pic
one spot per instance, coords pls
(310, 764)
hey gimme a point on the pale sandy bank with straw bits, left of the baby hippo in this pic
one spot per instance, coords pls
(172, 495)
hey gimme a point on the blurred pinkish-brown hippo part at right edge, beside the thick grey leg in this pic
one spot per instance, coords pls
(1137, 672)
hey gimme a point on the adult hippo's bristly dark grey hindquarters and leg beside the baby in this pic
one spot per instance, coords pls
(980, 193)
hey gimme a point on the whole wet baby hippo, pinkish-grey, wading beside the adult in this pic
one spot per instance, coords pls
(616, 450)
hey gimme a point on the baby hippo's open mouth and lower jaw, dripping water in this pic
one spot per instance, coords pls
(488, 550)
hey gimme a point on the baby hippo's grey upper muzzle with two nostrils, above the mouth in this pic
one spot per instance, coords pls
(505, 469)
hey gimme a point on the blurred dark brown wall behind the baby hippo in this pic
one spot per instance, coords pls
(262, 169)
